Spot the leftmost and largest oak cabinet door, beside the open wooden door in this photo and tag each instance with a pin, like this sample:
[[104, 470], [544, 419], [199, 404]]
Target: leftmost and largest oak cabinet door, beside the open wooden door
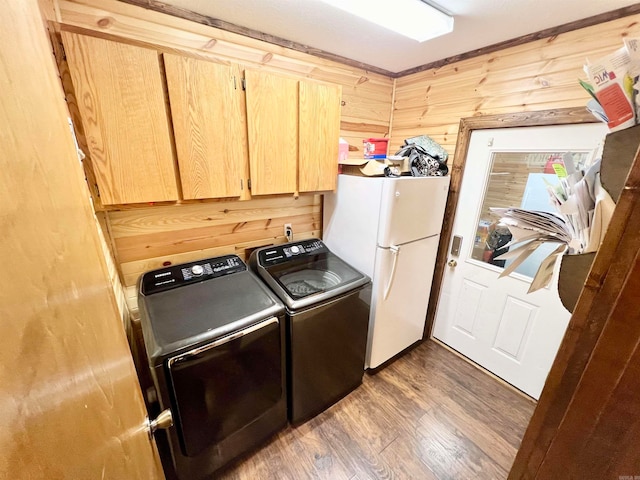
[[121, 99]]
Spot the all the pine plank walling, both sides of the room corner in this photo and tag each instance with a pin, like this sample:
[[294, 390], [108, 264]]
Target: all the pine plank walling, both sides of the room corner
[[534, 76]]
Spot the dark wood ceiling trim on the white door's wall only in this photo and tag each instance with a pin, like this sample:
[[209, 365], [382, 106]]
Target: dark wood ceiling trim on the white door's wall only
[[546, 33]]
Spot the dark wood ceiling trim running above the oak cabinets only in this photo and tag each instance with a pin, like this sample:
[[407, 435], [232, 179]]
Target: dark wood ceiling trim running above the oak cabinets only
[[255, 34]]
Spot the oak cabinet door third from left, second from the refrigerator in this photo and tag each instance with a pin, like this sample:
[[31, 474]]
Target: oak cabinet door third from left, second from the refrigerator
[[272, 118]]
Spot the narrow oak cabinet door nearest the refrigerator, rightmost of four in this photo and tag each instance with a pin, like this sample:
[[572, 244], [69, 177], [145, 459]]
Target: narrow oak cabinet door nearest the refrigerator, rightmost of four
[[319, 136]]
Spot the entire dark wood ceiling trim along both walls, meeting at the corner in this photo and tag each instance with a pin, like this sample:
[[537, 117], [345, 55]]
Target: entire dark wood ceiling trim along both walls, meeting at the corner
[[179, 12]]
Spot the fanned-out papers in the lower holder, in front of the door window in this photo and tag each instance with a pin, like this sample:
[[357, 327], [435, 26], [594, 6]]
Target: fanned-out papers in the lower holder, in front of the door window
[[584, 209]]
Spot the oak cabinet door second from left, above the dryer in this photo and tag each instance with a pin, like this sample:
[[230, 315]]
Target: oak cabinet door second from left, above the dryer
[[207, 110]]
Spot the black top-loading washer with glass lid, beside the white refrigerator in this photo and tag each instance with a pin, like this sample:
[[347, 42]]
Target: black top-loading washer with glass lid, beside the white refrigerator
[[327, 303]]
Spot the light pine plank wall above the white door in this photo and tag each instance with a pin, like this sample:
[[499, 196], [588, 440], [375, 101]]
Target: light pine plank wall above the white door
[[535, 76]]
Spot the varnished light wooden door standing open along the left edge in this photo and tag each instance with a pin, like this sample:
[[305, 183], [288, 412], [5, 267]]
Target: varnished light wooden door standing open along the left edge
[[71, 404]]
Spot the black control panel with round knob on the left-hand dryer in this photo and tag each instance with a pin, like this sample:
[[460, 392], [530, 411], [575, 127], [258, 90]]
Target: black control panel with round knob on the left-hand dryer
[[179, 275]]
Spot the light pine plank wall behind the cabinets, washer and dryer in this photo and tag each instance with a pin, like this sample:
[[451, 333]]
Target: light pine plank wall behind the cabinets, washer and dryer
[[145, 238]]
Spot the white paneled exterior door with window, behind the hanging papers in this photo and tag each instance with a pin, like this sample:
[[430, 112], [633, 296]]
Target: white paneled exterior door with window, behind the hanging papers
[[492, 321]]
